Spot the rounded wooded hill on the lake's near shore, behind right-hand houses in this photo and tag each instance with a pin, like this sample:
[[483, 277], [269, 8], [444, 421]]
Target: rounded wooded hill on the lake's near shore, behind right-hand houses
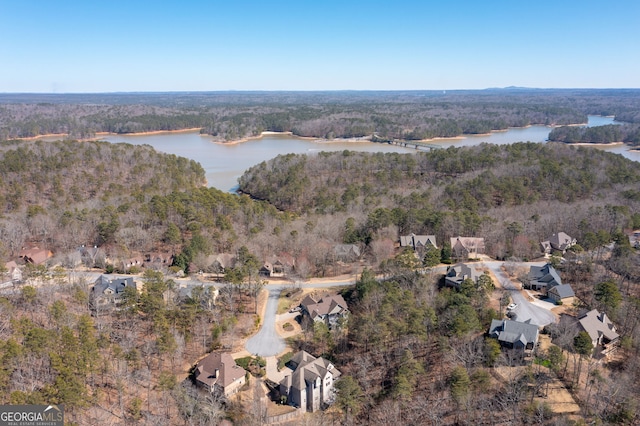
[[473, 191]]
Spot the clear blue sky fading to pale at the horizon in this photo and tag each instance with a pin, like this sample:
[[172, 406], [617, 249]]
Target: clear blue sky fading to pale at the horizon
[[108, 46]]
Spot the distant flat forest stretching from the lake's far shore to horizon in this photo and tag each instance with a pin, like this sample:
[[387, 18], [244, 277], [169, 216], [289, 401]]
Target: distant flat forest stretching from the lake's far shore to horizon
[[385, 115]]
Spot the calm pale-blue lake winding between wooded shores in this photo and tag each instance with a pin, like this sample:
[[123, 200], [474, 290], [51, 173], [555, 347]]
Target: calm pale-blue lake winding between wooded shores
[[225, 163]]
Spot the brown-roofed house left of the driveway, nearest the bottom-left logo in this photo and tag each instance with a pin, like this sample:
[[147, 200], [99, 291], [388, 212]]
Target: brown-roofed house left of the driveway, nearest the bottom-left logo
[[219, 373]]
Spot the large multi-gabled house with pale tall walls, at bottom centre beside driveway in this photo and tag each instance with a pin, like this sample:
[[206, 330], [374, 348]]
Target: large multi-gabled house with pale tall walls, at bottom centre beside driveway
[[310, 386]]
